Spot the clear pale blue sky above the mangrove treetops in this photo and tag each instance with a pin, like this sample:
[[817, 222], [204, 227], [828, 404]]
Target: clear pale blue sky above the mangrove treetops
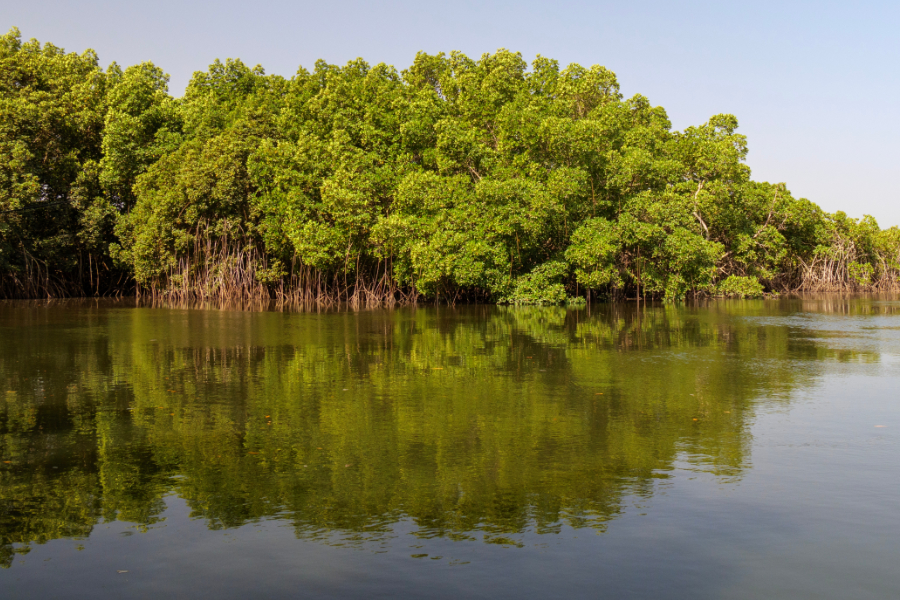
[[814, 84]]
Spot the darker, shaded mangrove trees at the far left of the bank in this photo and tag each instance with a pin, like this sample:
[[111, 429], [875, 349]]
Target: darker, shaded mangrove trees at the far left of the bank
[[55, 223]]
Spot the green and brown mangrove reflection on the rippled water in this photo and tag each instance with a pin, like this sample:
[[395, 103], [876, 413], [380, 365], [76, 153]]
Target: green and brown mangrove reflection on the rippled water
[[474, 423]]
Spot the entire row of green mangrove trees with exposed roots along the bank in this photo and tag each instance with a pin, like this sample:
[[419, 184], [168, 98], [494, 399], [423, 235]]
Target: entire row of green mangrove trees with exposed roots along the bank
[[456, 179]]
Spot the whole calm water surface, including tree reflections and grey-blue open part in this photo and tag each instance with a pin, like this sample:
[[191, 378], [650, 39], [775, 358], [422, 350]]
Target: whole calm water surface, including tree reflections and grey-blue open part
[[744, 449]]
